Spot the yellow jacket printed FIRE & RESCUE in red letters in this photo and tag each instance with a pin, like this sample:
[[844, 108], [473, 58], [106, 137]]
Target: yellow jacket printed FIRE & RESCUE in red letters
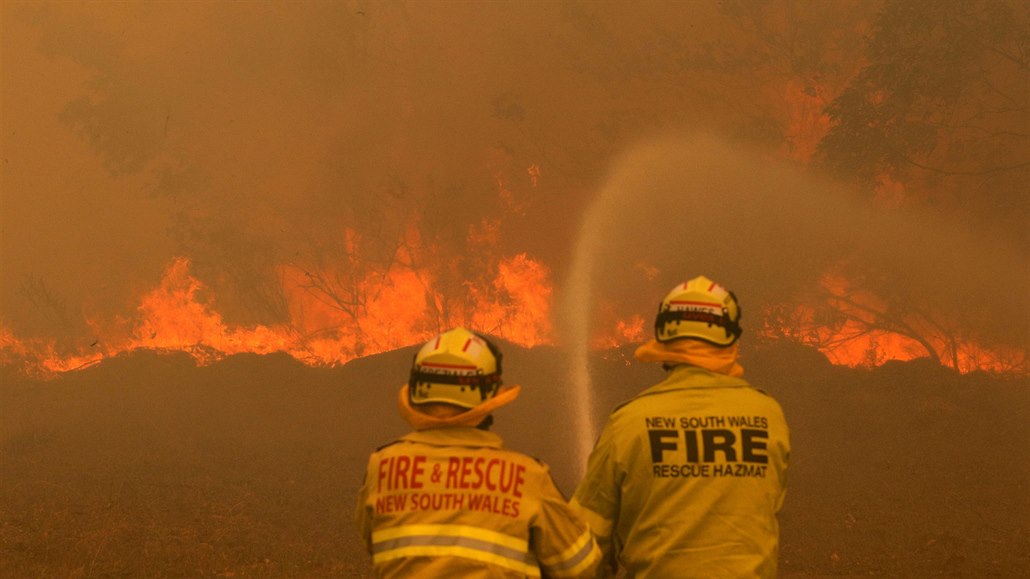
[[453, 502]]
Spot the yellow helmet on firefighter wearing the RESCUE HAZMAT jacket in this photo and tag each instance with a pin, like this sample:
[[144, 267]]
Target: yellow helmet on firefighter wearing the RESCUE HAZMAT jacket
[[701, 310]]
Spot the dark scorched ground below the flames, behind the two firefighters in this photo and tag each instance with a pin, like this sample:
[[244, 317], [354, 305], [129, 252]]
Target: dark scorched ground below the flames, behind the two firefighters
[[147, 466]]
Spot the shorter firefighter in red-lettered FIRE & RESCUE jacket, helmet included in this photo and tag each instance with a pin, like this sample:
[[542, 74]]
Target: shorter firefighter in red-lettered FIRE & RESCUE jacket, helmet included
[[450, 500]]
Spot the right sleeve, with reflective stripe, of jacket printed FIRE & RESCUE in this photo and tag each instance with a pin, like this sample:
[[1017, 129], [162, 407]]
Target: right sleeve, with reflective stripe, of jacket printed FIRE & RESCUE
[[562, 541]]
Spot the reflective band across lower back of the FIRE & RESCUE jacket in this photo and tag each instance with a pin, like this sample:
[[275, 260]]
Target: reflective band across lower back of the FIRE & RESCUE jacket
[[455, 540]]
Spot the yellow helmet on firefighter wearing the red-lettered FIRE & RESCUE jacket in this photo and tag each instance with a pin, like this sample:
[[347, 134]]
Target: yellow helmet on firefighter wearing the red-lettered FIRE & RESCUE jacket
[[458, 367]]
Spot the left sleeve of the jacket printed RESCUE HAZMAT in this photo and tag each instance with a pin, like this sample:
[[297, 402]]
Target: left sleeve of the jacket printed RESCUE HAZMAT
[[598, 497]]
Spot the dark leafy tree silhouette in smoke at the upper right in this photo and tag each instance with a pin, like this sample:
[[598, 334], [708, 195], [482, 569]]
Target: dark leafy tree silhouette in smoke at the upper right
[[942, 108]]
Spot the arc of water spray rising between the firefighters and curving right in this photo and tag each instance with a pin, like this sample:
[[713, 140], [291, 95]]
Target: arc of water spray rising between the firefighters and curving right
[[786, 213]]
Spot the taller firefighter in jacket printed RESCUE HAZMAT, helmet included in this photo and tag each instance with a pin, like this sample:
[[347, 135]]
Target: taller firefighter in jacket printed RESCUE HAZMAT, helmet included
[[686, 479]]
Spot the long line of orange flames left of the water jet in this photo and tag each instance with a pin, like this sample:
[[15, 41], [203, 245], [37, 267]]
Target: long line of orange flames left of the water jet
[[395, 309]]
